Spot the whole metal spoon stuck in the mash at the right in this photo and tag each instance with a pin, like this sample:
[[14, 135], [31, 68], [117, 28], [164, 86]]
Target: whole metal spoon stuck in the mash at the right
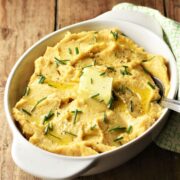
[[165, 102]]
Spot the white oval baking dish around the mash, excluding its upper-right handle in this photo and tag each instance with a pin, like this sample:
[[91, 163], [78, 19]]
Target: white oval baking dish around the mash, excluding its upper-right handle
[[44, 164]]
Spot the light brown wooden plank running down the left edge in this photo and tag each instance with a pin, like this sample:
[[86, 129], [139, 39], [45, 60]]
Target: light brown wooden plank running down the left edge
[[22, 23]]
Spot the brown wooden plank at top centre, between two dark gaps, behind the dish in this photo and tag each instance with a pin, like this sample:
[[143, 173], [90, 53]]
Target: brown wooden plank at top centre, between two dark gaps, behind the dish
[[72, 11]]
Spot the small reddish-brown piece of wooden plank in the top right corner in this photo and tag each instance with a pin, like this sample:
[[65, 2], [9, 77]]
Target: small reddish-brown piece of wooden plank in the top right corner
[[172, 8]]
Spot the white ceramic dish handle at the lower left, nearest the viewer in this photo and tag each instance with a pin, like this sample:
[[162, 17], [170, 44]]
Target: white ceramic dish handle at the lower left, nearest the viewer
[[47, 165]]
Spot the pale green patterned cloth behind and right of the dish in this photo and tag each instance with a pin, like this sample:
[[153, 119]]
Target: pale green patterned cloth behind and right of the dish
[[169, 137]]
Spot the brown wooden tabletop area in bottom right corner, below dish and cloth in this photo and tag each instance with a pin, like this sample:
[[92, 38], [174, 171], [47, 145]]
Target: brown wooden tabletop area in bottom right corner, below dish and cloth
[[152, 164]]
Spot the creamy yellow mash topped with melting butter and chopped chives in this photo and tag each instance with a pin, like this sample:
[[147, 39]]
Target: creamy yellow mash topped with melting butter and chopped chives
[[91, 93]]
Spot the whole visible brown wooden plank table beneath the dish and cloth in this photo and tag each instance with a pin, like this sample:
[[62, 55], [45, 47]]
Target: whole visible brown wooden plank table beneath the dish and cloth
[[22, 23]]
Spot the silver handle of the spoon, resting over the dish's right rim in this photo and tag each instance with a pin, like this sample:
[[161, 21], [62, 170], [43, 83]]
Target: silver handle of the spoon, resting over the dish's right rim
[[171, 104]]
